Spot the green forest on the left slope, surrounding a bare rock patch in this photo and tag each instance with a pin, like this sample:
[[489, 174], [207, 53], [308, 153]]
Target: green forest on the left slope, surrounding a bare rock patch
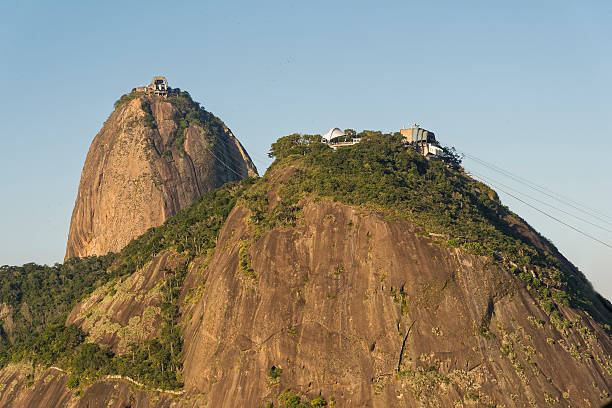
[[41, 336]]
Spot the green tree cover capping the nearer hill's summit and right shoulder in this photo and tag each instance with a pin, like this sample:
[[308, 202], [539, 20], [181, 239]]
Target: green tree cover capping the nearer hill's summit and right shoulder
[[380, 173]]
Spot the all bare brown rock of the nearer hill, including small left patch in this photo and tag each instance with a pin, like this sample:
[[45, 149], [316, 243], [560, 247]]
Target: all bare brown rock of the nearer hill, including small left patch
[[363, 309]]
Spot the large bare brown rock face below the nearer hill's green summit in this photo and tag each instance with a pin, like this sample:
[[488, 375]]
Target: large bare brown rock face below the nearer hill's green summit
[[368, 311]]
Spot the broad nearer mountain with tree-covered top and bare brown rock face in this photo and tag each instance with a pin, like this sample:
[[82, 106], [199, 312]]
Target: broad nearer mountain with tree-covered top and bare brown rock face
[[362, 277]]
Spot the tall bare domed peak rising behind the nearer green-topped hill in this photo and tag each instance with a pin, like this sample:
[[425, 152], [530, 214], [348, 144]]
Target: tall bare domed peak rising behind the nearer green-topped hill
[[154, 156]]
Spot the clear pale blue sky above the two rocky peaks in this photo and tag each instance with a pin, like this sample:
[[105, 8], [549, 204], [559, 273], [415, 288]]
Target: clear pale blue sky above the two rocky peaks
[[526, 85]]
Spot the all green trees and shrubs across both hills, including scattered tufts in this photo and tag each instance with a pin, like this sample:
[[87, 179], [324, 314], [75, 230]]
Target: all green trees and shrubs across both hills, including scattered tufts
[[379, 174]]
